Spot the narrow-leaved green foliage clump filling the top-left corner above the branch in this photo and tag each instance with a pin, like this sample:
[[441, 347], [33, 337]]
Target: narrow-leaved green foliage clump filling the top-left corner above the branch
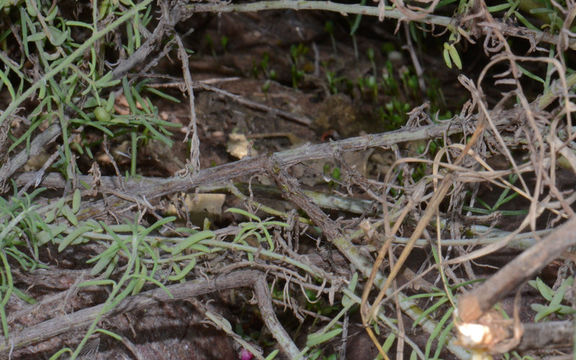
[[71, 91]]
